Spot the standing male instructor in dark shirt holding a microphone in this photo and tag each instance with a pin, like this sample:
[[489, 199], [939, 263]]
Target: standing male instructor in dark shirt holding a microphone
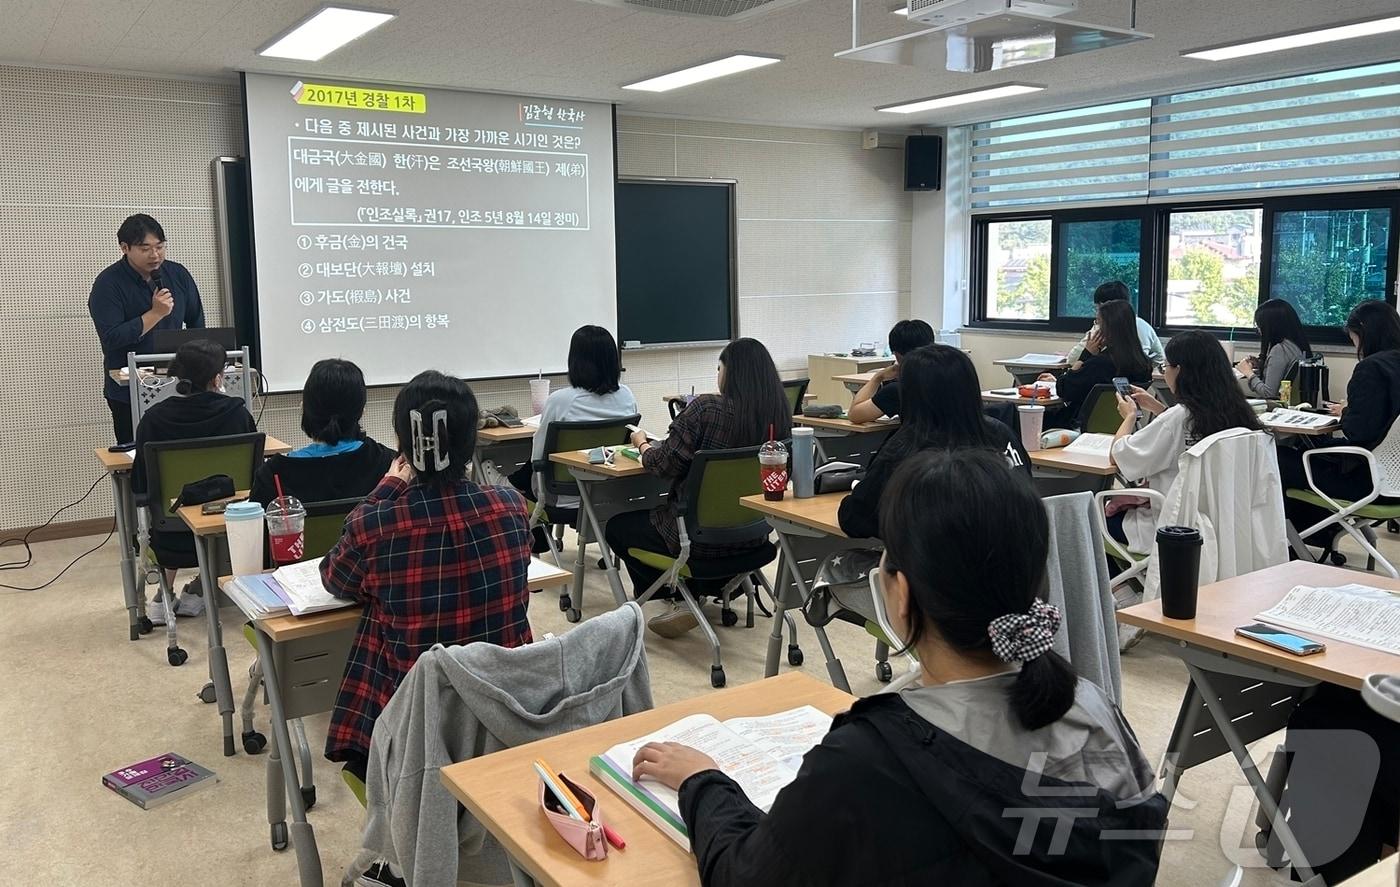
[[134, 296]]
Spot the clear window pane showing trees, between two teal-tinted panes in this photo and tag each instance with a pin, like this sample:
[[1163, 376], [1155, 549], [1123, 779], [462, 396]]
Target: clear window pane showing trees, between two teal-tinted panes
[[1213, 267]]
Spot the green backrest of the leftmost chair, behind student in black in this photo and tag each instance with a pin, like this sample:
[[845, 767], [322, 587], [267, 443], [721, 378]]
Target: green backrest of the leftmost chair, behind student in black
[[170, 465]]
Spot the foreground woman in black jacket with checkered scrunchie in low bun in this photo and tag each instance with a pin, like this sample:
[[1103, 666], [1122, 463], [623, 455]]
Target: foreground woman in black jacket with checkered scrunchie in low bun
[[930, 786]]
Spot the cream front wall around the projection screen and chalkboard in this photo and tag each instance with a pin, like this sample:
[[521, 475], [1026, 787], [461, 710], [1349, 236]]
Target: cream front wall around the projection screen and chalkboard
[[824, 254]]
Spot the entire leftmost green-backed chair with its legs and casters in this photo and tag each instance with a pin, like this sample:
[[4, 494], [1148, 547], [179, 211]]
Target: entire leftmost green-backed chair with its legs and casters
[[170, 465]]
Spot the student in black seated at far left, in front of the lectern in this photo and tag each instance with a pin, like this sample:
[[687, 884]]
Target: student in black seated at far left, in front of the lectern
[[201, 409]]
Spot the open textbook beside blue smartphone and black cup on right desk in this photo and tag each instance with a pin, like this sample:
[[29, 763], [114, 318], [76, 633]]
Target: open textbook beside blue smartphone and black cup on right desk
[[1353, 613]]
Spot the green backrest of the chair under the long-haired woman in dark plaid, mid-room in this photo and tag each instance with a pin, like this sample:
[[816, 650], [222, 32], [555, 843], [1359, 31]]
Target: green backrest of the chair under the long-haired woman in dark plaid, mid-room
[[710, 499]]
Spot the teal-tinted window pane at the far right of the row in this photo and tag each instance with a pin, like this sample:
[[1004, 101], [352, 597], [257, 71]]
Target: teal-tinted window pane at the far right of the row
[[1326, 260]]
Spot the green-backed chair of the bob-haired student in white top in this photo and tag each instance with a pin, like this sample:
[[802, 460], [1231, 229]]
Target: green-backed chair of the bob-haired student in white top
[[554, 481]]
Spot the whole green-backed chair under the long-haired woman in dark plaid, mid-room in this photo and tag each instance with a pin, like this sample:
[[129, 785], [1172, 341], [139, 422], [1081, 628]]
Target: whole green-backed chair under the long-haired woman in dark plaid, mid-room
[[709, 514]]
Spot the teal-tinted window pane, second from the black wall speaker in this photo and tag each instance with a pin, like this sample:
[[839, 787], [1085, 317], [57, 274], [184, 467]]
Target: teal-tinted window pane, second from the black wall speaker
[[1093, 253]]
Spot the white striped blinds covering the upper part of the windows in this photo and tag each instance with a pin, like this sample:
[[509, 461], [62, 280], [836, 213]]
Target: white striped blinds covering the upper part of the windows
[[1331, 129]]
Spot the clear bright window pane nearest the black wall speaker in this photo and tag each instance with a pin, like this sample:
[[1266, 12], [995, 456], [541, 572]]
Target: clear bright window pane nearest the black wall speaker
[[1018, 271]]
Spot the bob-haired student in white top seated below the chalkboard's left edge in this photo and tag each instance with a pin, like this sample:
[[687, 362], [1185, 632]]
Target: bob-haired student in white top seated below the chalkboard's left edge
[[594, 394]]
